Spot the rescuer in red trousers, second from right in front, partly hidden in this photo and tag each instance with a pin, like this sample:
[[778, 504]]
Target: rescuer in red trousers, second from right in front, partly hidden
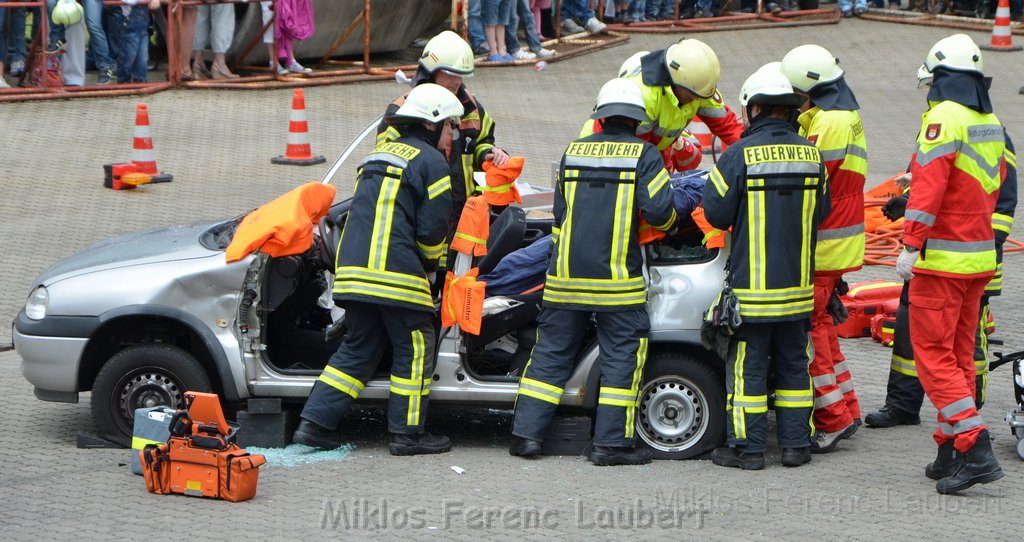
[[830, 120]]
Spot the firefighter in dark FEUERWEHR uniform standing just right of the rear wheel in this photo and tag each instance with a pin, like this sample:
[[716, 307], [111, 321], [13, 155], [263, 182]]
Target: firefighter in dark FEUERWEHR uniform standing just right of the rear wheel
[[772, 189]]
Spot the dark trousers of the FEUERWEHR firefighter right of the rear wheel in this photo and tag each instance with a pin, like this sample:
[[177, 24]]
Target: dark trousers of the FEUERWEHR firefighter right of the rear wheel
[[780, 349]]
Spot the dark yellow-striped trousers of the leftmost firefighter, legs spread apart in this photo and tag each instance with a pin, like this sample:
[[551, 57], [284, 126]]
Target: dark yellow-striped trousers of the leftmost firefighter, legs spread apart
[[371, 329]]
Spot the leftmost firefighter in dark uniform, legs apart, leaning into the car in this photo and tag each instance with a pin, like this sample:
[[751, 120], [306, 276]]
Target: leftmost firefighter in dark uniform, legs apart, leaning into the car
[[393, 239]]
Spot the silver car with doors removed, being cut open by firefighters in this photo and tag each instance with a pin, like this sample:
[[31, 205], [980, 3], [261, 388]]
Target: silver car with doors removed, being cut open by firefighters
[[140, 319]]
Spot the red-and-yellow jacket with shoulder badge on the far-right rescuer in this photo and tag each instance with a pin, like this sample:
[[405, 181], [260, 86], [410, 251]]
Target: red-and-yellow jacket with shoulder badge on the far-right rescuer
[[957, 174]]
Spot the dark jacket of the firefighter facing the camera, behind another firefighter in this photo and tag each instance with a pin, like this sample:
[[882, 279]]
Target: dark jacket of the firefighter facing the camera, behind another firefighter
[[465, 151]]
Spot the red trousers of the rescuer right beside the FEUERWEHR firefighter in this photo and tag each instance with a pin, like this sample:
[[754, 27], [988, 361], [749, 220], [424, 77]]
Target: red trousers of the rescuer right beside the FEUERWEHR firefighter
[[836, 404]]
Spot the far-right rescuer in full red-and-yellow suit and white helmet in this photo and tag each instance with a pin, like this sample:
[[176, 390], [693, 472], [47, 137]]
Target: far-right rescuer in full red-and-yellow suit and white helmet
[[950, 254]]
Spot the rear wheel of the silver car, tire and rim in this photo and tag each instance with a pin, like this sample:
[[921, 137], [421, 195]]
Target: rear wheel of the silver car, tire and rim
[[681, 410]]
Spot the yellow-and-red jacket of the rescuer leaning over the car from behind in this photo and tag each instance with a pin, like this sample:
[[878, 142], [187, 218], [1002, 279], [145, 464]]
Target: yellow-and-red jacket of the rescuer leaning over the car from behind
[[669, 117]]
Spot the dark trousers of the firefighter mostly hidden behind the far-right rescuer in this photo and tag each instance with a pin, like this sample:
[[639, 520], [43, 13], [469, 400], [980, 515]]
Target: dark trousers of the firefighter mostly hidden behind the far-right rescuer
[[904, 392]]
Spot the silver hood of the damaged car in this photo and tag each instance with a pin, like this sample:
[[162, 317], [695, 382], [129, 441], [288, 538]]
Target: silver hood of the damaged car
[[166, 244]]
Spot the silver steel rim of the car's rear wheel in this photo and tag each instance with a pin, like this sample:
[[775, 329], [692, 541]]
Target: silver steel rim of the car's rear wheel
[[673, 414]]
